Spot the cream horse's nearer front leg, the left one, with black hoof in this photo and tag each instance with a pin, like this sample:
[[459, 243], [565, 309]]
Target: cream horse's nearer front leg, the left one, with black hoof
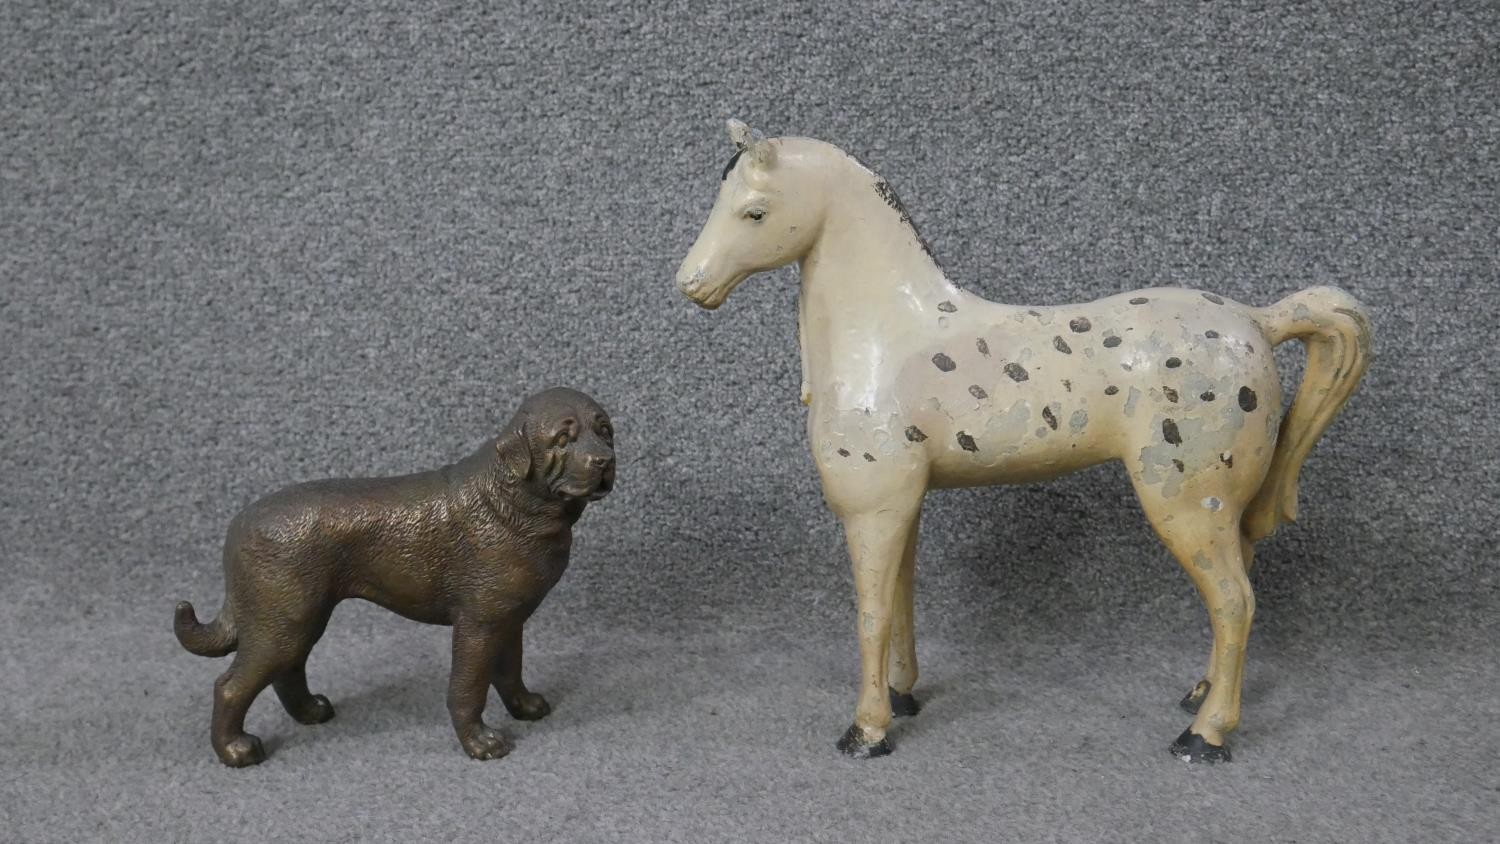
[[878, 539]]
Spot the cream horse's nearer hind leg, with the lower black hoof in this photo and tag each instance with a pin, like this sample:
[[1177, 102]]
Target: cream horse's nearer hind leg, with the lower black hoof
[[1205, 537]]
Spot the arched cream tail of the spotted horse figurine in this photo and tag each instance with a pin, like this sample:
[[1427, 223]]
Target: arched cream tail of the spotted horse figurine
[[1336, 331]]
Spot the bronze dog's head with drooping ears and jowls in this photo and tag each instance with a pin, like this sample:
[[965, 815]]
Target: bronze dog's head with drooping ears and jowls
[[562, 444]]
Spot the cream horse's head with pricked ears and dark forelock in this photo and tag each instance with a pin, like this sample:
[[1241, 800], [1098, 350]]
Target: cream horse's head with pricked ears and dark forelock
[[769, 214]]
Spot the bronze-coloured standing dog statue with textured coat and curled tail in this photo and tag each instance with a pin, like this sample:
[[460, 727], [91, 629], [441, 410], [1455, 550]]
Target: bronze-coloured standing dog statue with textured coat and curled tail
[[475, 545]]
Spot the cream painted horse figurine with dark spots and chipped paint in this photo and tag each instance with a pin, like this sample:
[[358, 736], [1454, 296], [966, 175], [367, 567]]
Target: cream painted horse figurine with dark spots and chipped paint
[[916, 385]]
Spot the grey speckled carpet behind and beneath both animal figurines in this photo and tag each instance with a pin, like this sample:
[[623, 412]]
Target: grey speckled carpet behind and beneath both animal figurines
[[245, 245]]
